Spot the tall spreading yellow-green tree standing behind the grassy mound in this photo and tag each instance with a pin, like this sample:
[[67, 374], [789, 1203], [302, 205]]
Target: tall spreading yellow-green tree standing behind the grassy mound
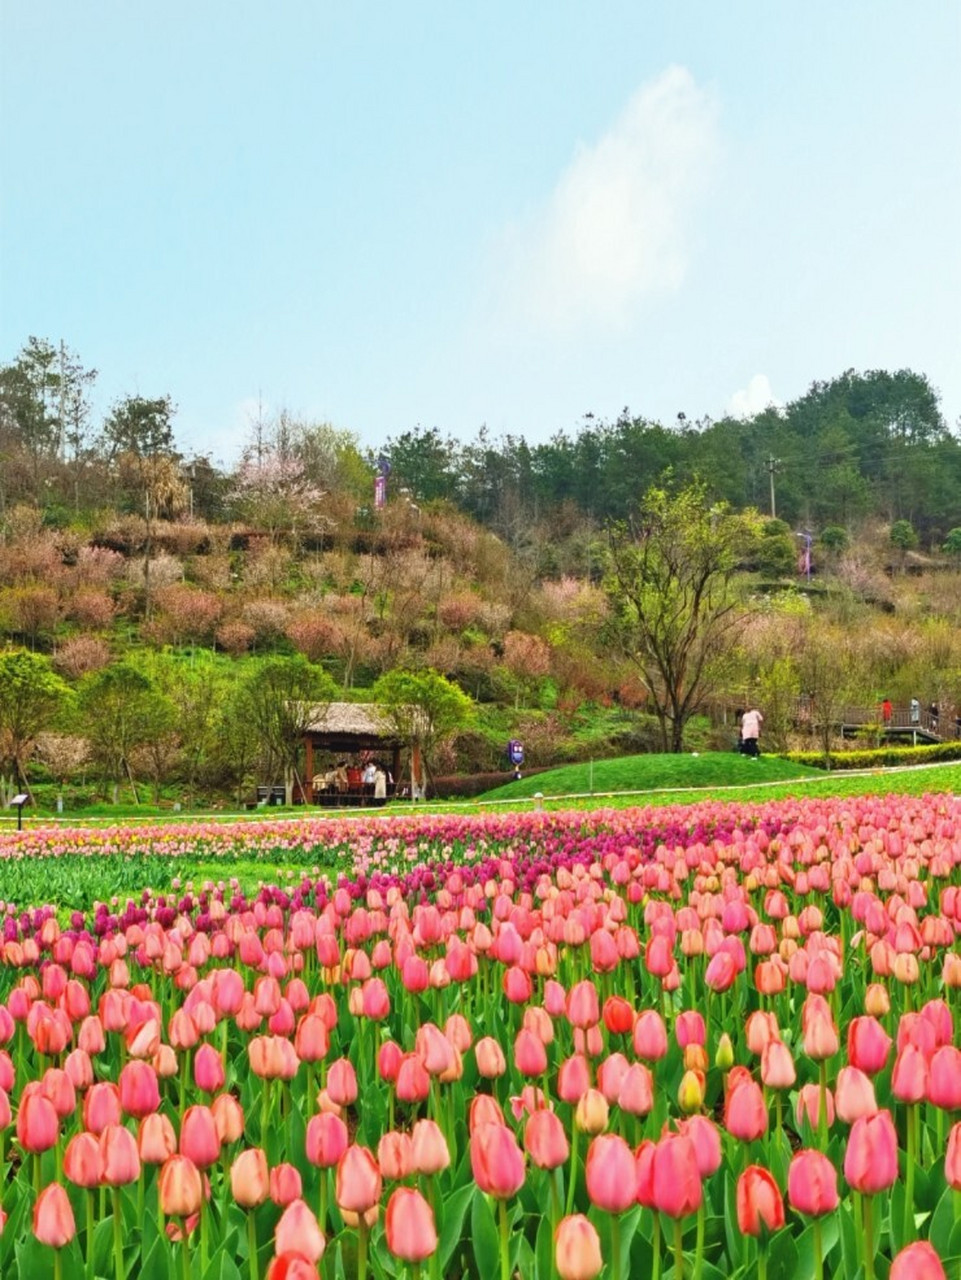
[[675, 610]]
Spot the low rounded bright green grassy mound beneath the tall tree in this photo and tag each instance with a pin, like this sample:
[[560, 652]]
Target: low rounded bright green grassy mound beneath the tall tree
[[655, 774]]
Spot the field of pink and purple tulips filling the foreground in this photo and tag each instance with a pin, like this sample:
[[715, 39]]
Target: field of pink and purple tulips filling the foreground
[[706, 1041]]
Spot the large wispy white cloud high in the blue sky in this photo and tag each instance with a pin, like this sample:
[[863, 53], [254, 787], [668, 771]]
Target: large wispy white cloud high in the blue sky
[[615, 228]]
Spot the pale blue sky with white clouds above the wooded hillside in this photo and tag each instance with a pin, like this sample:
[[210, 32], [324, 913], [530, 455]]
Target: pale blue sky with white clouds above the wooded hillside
[[391, 217]]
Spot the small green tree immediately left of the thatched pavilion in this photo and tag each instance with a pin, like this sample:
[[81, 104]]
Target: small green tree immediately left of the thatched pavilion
[[283, 697]]
